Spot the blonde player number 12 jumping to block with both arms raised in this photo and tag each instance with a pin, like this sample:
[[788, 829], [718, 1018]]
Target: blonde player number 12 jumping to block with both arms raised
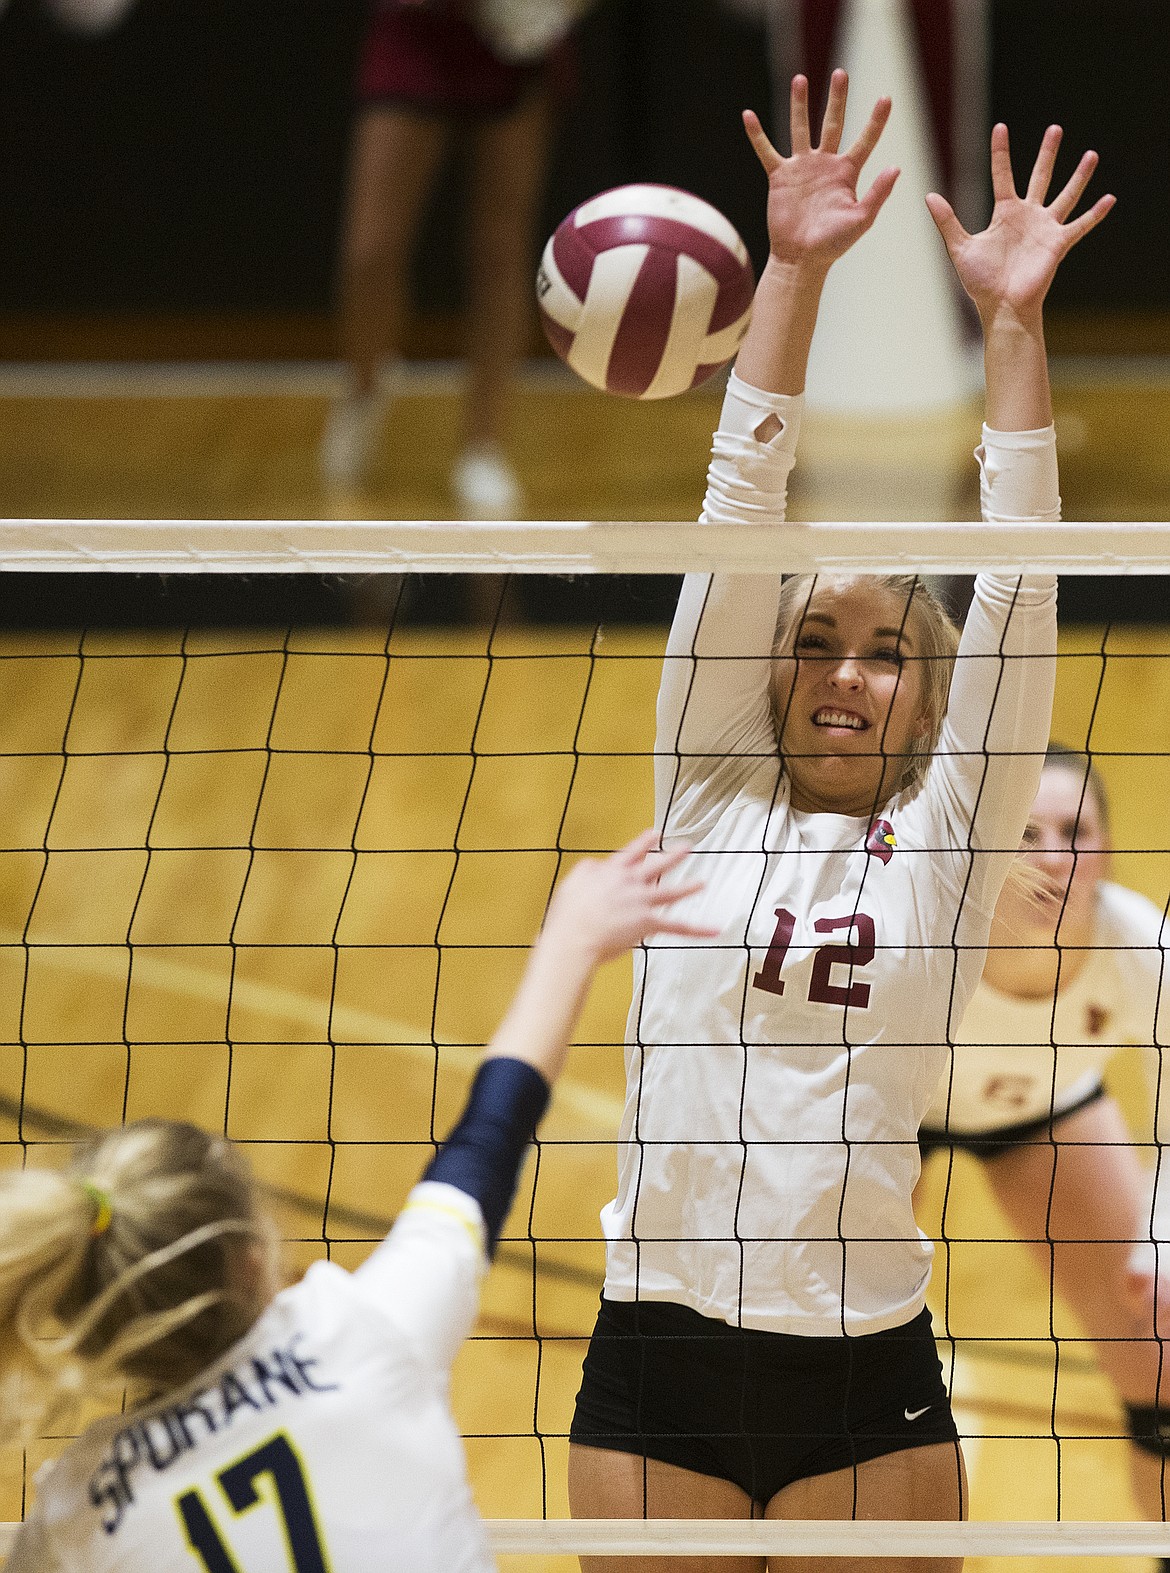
[[763, 1344]]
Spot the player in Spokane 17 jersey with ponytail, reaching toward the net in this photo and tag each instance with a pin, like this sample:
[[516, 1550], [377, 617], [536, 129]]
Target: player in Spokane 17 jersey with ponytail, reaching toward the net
[[152, 1262]]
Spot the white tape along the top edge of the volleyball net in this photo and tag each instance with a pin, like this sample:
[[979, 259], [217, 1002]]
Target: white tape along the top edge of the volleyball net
[[564, 547]]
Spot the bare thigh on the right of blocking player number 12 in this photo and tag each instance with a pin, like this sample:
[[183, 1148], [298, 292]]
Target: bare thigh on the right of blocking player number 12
[[924, 1484]]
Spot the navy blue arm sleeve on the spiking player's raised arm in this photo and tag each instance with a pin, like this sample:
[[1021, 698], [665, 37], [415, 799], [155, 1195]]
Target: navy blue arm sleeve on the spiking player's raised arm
[[484, 1154]]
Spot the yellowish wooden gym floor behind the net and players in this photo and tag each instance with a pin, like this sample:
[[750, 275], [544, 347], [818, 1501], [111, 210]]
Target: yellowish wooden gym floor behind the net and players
[[309, 908]]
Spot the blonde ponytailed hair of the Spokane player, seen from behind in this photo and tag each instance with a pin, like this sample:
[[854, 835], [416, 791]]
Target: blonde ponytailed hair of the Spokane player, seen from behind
[[136, 1265]]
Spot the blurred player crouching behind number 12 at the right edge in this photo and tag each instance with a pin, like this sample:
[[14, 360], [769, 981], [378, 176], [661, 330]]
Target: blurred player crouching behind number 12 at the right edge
[[1025, 1094]]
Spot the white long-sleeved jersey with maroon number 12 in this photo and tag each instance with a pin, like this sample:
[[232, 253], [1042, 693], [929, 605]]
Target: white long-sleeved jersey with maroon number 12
[[779, 1074]]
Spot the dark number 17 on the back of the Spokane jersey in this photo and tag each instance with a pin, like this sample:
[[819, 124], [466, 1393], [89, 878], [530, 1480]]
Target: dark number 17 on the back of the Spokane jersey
[[278, 1461]]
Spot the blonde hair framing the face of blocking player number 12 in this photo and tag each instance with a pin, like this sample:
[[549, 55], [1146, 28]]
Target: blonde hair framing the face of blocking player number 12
[[936, 639]]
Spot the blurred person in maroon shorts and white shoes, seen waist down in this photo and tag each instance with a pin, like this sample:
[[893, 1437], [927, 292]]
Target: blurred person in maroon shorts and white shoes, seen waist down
[[427, 72]]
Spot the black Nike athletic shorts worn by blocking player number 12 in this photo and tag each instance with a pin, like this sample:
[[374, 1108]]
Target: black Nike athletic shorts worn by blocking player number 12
[[757, 1409]]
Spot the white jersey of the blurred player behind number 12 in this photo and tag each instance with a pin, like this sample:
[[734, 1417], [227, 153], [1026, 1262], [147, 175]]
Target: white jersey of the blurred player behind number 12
[[1018, 1061]]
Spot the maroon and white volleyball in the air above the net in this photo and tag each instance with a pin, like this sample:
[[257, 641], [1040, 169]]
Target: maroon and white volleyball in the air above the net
[[646, 290]]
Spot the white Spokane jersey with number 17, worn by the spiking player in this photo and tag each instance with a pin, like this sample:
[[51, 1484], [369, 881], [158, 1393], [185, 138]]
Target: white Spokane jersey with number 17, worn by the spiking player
[[322, 1440]]
